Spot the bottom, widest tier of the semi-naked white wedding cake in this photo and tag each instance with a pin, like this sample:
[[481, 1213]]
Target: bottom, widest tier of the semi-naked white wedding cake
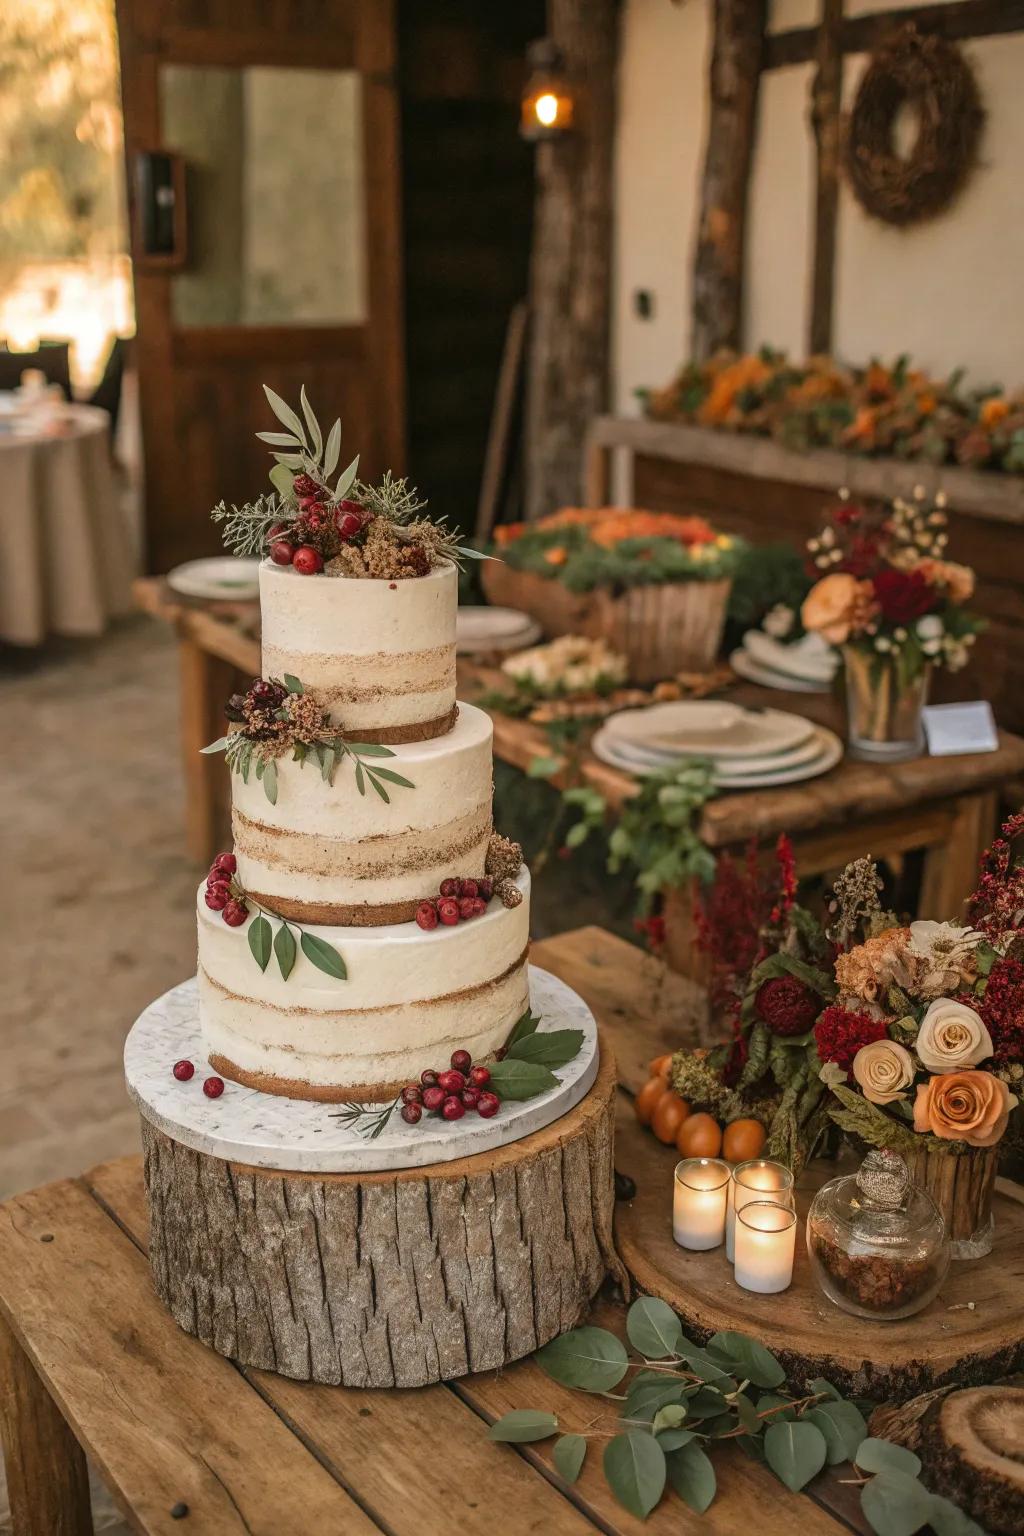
[[411, 999]]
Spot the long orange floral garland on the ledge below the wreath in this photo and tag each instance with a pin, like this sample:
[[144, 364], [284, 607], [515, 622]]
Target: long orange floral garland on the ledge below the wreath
[[879, 409]]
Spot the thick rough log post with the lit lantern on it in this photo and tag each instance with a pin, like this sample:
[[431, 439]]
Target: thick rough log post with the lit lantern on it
[[570, 276]]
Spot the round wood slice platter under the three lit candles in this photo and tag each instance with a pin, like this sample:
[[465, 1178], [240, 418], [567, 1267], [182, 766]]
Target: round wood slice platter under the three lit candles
[[951, 1342]]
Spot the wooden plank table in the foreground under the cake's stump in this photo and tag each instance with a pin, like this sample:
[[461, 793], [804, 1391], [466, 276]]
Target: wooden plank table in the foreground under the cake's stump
[[91, 1363]]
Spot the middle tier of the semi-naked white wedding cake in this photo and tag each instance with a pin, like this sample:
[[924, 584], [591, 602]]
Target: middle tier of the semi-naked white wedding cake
[[328, 855]]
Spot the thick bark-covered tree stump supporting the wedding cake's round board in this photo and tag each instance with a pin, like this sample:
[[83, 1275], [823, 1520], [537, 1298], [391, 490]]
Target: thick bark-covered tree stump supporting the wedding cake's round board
[[389, 1279]]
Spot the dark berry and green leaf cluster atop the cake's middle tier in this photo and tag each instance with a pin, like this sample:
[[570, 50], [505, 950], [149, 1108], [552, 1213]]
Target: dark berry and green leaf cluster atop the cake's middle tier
[[277, 718]]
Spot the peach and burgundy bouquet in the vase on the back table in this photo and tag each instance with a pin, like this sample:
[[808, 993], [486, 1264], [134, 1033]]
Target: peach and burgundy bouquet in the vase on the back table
[[887, 588]]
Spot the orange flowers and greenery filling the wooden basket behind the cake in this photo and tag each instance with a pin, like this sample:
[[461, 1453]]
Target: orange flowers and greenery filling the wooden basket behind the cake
[[619, 548]]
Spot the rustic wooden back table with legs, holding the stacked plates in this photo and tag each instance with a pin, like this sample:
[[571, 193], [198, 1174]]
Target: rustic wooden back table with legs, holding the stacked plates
[[946, 807]]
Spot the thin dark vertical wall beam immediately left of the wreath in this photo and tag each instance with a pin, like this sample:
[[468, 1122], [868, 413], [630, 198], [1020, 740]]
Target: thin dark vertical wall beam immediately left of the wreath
[[825, 119]]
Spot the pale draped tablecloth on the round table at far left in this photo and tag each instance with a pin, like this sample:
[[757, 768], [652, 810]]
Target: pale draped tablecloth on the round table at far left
[[67, 558]]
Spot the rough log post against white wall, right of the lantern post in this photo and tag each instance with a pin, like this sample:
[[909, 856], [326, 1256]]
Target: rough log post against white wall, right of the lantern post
[[736, 64]]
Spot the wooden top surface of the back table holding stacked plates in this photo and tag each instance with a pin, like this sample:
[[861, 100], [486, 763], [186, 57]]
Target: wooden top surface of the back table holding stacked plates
[[853, 792]]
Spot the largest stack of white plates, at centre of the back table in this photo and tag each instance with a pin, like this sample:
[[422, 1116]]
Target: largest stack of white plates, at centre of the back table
[[750, 749]]
